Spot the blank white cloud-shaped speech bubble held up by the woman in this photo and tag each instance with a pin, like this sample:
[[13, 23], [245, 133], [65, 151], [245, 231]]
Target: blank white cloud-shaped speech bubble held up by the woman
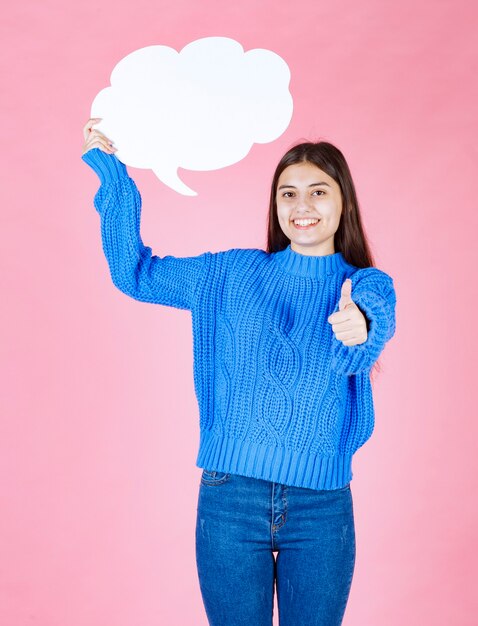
[[200, 109]]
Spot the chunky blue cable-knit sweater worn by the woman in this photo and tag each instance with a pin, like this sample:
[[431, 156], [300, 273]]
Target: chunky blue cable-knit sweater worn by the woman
[[280, 397]]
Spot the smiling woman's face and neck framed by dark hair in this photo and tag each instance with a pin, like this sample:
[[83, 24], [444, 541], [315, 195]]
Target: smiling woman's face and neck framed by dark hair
[[306, 192]]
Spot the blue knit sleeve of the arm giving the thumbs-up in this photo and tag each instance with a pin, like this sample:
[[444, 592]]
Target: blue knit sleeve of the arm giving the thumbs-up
[[373, 292]]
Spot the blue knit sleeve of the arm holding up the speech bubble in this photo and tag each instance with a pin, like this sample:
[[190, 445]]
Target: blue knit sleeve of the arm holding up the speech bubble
[[167, 280]]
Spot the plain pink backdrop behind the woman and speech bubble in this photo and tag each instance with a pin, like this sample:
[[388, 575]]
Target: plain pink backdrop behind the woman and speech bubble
[[100, 426]]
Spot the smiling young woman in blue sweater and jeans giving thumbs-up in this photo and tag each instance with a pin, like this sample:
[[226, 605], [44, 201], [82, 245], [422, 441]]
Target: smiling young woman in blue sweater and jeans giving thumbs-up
[[284, 344]]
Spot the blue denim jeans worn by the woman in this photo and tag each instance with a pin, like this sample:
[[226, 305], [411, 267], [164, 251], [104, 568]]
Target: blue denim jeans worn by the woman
[[242, 521]]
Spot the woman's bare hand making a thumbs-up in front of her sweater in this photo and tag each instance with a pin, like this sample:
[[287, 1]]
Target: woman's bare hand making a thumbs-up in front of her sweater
[[348, 323]]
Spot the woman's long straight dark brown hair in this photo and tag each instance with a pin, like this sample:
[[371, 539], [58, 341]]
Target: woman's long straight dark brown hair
[[350, 238]]
